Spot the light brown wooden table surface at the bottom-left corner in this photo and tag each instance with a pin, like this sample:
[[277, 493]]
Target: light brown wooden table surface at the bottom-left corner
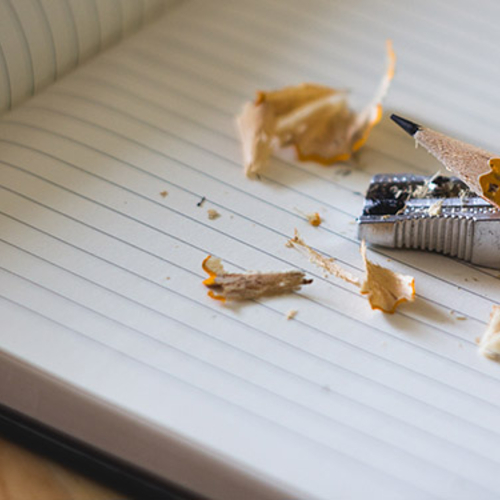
[[26, 476]]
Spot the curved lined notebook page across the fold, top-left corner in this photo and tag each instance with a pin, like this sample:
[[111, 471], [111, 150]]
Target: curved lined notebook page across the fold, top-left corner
[[41, 40]]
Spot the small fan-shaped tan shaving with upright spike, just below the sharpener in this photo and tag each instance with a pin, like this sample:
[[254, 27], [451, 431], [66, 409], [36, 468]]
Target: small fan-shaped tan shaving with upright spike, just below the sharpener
[[385, 289]]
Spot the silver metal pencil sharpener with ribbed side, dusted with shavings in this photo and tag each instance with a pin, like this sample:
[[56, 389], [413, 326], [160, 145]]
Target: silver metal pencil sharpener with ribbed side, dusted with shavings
[[438, 213]]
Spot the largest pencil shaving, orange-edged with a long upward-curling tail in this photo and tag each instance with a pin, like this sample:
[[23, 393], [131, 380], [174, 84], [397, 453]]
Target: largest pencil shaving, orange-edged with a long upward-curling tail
[[315, 119]]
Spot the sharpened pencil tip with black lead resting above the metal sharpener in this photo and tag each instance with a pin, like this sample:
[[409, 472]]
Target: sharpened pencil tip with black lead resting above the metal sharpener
[[478, 168]]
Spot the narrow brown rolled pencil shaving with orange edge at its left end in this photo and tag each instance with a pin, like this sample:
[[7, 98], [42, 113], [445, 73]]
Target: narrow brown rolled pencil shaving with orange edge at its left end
[[244, 286]]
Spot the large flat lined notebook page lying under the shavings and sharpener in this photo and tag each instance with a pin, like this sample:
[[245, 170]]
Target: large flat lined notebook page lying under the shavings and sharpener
[[101, 275]]
